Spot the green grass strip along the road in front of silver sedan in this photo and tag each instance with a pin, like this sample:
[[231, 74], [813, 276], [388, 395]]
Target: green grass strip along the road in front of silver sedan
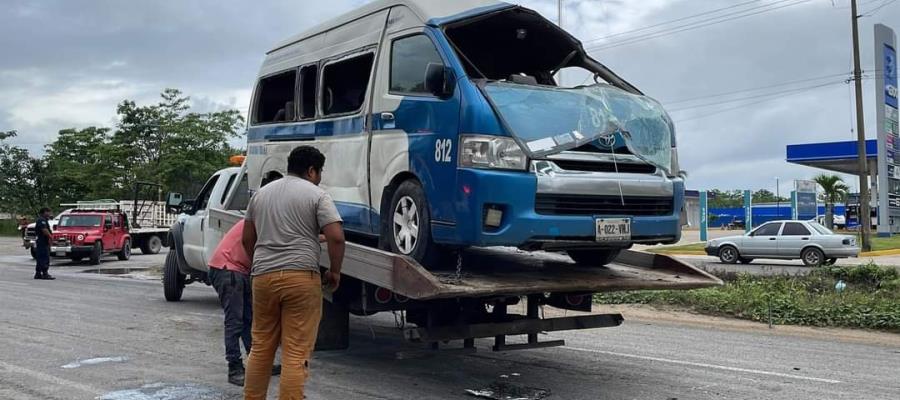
[[871, 299]]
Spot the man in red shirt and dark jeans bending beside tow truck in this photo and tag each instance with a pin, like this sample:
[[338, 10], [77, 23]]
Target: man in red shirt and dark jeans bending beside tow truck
[[229, 272]]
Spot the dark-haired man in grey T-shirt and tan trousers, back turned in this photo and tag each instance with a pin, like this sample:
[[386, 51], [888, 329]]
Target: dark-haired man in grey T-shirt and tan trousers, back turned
[[281, 235]]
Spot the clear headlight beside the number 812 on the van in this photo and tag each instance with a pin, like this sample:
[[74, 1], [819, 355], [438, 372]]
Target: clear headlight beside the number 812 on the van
[[493, 152]]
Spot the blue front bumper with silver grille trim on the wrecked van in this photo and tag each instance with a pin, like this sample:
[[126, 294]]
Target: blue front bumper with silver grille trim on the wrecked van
[[515, 193]]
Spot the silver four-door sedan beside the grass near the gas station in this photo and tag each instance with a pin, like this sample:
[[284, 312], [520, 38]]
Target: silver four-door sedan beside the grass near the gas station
[[787, 240]]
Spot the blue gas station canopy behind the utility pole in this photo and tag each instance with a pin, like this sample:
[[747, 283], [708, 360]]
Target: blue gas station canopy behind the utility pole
[[833, 156]]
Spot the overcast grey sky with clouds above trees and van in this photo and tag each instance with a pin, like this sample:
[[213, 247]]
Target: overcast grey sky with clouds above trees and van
[[68, 63]]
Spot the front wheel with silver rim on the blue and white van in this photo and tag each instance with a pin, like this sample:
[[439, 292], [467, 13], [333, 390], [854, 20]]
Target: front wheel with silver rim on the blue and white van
[[409, 205]]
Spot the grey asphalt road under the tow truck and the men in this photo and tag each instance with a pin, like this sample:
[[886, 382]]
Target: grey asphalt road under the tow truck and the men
[[90, 335]]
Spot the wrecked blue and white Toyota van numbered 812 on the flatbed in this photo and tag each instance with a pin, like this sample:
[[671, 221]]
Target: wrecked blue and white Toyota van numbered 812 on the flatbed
[[444, 127]]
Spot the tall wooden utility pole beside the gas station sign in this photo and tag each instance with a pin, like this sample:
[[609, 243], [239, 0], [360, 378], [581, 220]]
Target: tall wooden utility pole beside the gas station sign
[[865, 216]]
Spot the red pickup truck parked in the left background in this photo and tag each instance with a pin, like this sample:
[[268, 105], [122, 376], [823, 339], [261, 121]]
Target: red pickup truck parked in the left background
[[91, 233]]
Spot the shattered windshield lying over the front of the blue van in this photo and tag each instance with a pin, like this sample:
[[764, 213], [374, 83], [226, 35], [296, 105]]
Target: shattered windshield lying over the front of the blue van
[[549, 120]]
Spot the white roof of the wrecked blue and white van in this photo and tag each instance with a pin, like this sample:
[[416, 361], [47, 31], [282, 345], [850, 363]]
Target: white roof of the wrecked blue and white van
[[432, 12]]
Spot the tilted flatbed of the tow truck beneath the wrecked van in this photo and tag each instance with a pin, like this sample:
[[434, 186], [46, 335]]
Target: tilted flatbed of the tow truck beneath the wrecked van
[[472, 300]]
